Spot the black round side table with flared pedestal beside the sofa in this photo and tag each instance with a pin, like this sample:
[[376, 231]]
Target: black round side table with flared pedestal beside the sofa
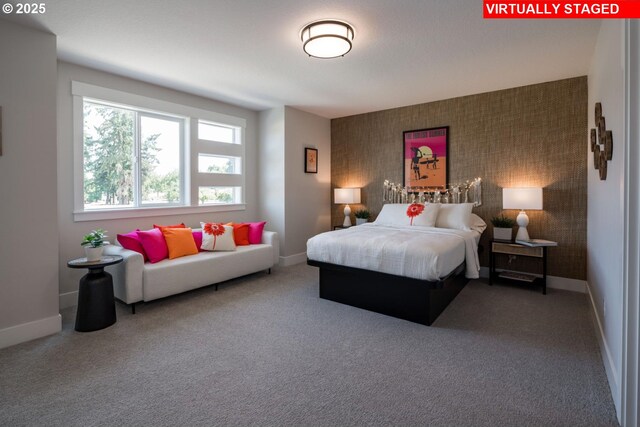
[[96, 306]]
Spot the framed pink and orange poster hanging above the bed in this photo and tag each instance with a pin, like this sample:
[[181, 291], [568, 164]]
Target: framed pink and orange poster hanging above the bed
[[425, 158]]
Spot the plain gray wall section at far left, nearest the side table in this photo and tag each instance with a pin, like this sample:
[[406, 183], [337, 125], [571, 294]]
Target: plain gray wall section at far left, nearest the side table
[[28, 193]]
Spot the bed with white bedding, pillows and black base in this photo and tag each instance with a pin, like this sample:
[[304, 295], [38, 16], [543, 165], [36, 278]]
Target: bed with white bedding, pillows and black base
[[409, 267]]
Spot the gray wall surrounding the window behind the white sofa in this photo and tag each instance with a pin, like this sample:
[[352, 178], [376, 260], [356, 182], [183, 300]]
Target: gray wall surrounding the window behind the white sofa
[[71, 232]]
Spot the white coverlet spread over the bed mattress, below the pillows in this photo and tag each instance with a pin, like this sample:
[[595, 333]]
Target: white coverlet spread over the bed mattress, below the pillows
[[425, 253]]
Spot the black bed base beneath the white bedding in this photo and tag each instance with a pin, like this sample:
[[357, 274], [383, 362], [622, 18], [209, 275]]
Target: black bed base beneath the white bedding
[[419, 301]]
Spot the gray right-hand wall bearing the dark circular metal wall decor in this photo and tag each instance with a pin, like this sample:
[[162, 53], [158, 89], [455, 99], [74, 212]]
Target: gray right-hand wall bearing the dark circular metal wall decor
[[605, 213]]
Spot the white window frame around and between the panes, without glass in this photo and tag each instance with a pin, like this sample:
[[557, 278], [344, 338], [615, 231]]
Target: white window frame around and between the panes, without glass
[[192, 178]]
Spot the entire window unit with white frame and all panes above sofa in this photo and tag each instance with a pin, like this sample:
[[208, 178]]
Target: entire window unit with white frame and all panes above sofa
[[133, 156]]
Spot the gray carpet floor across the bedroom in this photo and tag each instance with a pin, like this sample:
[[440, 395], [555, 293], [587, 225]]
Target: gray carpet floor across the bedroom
[[265, 350]]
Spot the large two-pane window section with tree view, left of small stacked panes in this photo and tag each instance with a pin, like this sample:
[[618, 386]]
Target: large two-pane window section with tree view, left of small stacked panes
[[131, 158]]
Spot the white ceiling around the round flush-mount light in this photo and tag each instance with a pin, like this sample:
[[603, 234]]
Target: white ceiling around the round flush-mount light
[[248, 52]]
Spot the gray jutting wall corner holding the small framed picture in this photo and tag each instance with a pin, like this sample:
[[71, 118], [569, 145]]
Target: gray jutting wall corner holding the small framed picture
[[295, 203]]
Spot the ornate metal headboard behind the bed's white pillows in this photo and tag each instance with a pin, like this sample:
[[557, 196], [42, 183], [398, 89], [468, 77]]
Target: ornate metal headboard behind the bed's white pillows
[[466, 192]]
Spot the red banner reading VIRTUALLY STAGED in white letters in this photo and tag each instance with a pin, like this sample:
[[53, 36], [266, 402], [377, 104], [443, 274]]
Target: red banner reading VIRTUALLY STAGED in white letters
[[613, 9]]
